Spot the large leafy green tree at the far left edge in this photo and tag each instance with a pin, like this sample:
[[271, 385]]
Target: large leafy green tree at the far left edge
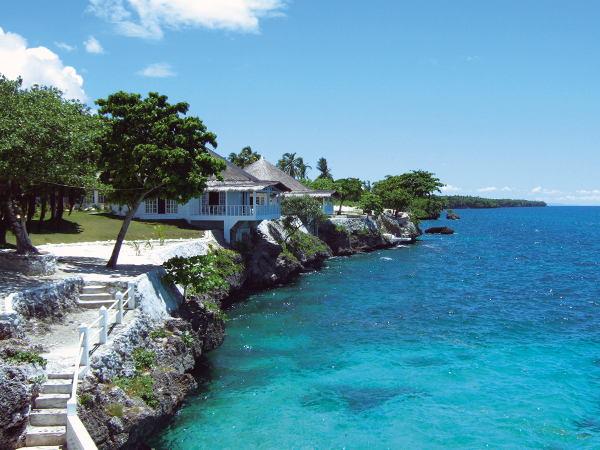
[[45, 142]]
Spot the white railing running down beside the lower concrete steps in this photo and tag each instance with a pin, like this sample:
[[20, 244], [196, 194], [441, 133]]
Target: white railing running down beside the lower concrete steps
[[77, 436]]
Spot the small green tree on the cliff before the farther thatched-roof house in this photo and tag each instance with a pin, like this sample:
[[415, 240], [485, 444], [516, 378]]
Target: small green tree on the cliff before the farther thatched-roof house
[[301, 210]]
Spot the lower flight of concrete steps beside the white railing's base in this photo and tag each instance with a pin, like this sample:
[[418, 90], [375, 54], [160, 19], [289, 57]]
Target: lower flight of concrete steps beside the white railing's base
[[47, 429]]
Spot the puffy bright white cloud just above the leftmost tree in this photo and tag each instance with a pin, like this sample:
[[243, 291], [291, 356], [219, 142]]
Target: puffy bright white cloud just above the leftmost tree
[[37, 65]]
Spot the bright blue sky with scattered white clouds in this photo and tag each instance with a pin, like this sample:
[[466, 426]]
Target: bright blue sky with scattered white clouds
[[498, 99]]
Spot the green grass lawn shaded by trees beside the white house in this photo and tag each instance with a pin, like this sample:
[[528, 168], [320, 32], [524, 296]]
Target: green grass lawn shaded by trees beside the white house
[[86, 227]]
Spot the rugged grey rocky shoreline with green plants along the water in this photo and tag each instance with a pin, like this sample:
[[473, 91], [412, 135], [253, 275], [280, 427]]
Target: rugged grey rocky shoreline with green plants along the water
[[140, 379]]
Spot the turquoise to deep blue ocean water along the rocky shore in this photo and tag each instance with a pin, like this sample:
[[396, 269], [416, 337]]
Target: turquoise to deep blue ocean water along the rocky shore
[[488, 338]]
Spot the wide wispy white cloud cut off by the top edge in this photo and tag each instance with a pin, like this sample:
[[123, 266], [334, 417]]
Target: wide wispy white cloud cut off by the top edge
[[147, 18]]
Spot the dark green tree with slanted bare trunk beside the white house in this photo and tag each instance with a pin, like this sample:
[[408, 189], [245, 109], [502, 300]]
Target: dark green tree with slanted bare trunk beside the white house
[[152, 150]]
